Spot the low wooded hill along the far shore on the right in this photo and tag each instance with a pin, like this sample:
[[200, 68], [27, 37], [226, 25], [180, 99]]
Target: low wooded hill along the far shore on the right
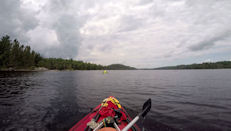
[[207, 65]]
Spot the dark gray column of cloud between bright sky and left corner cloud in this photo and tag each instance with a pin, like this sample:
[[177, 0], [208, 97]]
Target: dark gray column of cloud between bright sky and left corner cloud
[[65, 22]]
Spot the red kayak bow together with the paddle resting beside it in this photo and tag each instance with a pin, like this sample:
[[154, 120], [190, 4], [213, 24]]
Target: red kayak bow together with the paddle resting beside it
[[109, 116]]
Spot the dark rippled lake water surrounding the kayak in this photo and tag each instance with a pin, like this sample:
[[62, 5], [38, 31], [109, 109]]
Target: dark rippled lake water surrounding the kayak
[[55, 100]]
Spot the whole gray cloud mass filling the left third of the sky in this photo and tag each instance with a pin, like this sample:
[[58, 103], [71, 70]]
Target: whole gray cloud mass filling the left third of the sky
[[18, 21]]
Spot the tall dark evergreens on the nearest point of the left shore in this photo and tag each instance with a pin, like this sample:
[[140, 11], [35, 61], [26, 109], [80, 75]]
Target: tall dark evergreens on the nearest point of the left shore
[[15, 55]]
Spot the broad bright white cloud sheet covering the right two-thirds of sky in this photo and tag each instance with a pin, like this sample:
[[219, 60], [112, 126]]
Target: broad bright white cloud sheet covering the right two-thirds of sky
[[159, 31]]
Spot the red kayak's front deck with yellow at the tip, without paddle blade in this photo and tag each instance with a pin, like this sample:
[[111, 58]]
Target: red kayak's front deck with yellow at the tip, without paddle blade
[[110, 107]]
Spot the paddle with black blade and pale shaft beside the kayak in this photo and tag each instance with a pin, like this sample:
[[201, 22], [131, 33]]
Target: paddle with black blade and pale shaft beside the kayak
[[146, 108]]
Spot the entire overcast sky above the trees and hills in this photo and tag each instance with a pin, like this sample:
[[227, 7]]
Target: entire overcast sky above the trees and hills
[[139, 33]]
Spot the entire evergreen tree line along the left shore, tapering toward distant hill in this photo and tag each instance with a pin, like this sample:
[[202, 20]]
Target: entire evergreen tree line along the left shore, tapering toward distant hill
[[17, 56]]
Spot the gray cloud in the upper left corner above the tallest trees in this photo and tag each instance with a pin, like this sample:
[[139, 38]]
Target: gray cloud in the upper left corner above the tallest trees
[[15, 20]]
